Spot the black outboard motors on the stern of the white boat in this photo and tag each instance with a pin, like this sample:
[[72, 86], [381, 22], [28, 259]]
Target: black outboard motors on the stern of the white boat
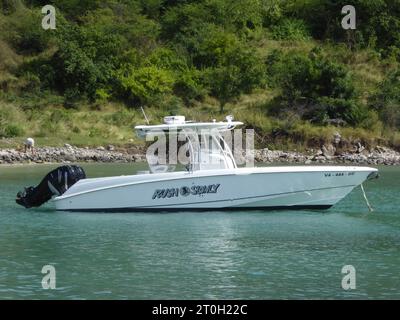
[[55, 183]]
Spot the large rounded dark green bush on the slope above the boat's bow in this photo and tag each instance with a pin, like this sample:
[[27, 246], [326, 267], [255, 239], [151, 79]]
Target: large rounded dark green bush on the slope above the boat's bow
[[315, 87]]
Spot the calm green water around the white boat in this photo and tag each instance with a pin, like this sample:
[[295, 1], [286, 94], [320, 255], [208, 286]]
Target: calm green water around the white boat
[[208, 255]]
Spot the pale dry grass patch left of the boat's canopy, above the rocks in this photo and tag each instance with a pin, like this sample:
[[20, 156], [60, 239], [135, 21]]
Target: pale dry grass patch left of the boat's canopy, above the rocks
[[55, 126]]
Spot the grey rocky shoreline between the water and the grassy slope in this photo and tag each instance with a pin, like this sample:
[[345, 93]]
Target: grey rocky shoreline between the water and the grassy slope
[[325, 155]]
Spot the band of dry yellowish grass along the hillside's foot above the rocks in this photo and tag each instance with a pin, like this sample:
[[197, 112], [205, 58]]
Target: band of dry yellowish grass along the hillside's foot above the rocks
[[113, 123]]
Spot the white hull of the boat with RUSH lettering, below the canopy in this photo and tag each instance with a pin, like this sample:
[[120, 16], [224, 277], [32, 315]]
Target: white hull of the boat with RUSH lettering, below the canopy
[[232, 189]]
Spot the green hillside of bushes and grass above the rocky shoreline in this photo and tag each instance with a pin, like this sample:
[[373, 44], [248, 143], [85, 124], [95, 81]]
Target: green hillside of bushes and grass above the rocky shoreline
[[284, 67]]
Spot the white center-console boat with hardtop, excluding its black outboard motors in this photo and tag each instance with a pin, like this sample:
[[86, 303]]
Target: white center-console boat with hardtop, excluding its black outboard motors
[[213, 181]]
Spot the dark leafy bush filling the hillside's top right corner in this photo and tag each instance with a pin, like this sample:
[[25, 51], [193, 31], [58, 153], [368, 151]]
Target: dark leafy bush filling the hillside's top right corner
[[378, 21]]
